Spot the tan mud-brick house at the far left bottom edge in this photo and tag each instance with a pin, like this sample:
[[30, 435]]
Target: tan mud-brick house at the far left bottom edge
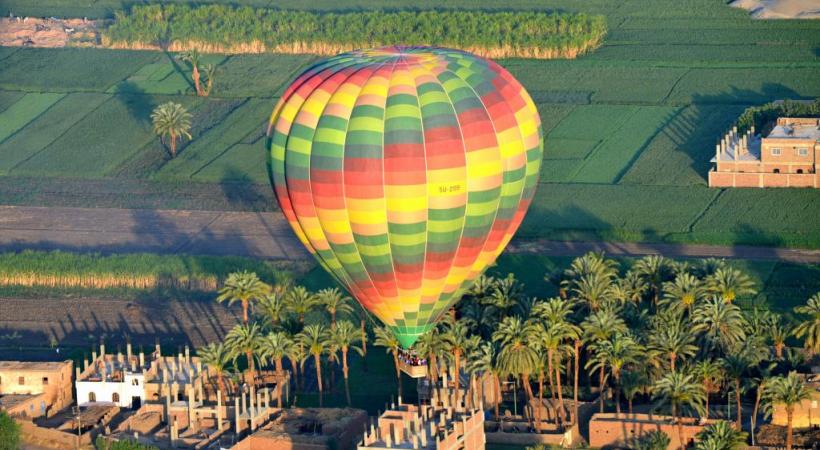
[[35, 389]]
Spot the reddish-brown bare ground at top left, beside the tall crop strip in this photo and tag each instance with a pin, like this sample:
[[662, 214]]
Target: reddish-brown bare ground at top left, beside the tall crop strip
[[34, 32]]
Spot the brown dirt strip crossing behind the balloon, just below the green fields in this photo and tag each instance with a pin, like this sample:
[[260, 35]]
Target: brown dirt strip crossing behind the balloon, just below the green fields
[[267, 235]]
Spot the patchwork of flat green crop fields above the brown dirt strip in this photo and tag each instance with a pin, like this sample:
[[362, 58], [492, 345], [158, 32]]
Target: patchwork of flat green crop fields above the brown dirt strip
[[629, 128]]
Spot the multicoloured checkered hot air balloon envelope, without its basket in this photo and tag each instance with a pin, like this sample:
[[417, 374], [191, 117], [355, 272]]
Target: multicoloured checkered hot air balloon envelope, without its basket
[[405, 171]]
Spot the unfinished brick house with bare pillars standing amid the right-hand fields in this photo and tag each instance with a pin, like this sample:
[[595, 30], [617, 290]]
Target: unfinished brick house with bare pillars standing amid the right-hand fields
[[786, 157]]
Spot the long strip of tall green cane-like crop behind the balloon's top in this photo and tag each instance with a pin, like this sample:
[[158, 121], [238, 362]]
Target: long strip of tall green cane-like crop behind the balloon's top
[[228, 29]]
